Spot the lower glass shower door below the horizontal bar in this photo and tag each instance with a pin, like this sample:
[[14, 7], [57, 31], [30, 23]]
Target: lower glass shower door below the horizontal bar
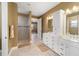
[[23, 35]]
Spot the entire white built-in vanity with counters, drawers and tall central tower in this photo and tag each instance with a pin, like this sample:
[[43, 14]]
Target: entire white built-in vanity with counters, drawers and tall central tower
[[57, 40]]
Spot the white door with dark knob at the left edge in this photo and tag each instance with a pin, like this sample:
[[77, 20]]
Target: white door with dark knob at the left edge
[[4, 13]]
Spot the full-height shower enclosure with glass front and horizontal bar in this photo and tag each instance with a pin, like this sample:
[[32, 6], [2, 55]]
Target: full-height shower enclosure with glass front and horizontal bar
[[23, 30]]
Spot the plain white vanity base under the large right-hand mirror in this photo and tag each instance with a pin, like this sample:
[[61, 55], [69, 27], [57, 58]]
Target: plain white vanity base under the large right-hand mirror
[[72, 48]]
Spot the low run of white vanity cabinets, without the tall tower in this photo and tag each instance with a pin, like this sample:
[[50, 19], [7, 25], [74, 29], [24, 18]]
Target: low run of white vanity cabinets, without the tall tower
[[64, 47]]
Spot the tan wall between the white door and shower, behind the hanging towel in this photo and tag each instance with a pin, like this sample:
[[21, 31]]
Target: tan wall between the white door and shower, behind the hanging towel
[[12, 20]]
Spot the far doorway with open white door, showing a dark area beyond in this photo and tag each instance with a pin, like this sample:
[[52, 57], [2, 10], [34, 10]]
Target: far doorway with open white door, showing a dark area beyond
[[36, 30]]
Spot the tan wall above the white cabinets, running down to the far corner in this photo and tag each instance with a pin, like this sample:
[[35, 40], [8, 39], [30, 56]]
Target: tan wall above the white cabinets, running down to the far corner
[[63, 5]]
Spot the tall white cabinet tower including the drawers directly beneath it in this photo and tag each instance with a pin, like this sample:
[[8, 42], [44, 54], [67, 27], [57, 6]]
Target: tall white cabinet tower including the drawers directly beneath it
[[59, 45]]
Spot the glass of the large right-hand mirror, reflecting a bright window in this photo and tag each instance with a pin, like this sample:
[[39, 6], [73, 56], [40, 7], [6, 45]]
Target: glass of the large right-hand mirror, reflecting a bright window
[[72, 24]]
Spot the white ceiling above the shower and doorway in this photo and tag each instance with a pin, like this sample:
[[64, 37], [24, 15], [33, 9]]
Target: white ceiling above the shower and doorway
[[37, 8]]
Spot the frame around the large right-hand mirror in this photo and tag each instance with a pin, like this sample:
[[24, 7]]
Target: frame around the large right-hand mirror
[[73, 15]]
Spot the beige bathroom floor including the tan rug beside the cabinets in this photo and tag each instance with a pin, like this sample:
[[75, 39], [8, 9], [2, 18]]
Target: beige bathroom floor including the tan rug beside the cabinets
[[38, 49]]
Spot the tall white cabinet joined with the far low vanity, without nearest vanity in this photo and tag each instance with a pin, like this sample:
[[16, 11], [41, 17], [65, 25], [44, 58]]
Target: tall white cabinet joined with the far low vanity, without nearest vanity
[[52, 39]]
